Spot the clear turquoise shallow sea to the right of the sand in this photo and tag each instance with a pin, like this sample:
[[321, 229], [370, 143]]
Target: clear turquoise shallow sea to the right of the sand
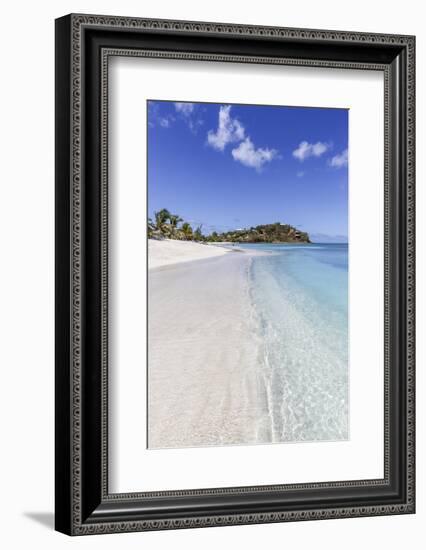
[[299, 296]]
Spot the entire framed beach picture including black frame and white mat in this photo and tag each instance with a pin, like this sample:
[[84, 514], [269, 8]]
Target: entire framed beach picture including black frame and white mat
[[234, 274]]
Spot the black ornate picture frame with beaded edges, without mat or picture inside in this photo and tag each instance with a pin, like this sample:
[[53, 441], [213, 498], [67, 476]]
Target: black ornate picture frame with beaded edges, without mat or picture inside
[[83, 503]]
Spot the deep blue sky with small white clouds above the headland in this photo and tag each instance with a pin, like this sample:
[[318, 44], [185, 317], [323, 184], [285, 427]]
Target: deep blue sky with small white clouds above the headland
[[234, 166]]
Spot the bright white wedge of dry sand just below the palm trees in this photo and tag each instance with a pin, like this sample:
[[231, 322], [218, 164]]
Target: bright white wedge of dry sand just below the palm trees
[[167, 252]]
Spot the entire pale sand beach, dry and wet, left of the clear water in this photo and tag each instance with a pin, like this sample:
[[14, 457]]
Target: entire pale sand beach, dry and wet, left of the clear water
[[203, 377]]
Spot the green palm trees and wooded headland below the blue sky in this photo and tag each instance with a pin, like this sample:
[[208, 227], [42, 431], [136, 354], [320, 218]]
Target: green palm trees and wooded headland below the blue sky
[[170, 226]]
